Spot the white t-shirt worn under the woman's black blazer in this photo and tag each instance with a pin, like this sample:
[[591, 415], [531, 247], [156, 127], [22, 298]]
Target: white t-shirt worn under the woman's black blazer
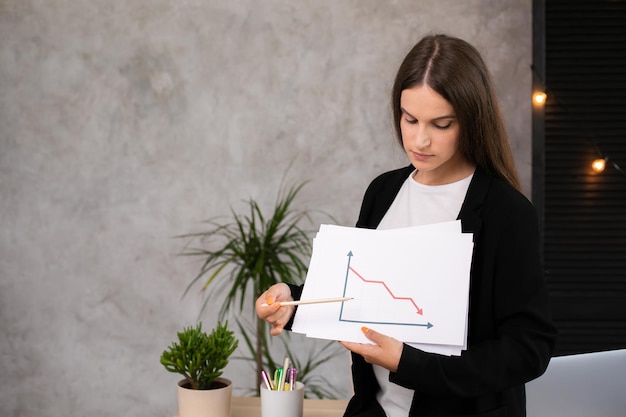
[[415, 205]]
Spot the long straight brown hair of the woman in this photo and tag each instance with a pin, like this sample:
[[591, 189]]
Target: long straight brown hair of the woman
[[455, 70]]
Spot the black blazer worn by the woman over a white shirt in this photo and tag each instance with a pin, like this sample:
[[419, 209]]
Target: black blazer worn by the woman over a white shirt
[[510, 333]]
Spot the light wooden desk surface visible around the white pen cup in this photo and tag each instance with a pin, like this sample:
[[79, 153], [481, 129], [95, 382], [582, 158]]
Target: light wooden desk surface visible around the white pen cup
[[251, 407]]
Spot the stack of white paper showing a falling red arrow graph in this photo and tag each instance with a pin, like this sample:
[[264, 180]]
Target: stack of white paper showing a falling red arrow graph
[[411, 284]]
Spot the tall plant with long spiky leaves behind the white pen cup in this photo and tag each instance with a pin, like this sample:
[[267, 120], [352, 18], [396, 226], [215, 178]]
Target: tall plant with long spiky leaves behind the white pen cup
[[247, 253]]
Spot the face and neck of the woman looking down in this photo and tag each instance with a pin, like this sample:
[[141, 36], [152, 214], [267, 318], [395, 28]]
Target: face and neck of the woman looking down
[[430, 136]]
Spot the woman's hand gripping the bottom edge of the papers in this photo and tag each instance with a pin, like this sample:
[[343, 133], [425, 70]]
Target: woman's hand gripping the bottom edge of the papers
[[385, 352]]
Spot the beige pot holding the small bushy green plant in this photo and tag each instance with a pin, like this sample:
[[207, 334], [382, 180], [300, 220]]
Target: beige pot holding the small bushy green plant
[[203, 403]]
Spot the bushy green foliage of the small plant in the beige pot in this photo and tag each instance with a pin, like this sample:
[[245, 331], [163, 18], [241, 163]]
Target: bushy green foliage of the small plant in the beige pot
[[200, 357]]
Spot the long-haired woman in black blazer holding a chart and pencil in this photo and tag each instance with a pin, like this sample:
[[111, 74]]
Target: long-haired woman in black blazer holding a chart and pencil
[[448, 121]]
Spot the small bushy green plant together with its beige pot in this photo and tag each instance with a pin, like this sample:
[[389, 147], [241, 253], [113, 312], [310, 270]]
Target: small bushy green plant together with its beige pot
[[201, 358]]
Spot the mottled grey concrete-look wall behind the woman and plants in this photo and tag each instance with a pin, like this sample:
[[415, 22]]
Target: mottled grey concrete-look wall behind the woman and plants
[[126, 123]]
